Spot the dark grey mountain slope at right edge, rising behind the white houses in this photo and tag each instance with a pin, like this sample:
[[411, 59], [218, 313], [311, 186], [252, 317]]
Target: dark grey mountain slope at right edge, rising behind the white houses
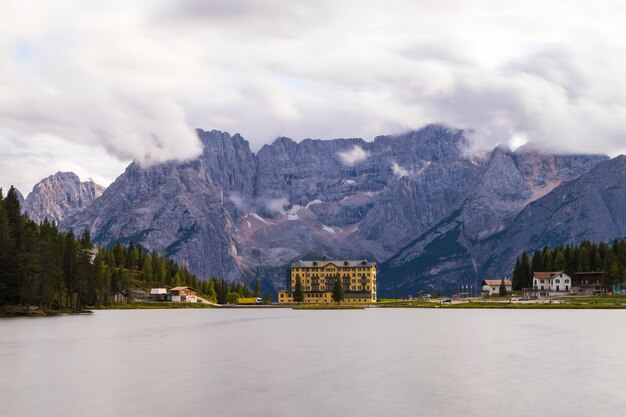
[[591, 207]]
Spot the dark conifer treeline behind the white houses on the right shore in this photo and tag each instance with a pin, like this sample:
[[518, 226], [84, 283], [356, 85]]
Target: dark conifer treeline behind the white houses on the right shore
[[609, 258]]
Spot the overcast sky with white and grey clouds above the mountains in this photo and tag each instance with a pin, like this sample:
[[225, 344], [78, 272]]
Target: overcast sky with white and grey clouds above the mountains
[[89, 86]]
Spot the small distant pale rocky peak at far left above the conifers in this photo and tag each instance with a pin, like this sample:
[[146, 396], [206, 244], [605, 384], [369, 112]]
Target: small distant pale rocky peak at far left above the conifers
[[59, 196]]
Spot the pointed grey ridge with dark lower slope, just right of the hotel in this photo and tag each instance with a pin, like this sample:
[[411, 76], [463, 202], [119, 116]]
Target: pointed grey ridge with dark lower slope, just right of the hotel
[[456, 250]]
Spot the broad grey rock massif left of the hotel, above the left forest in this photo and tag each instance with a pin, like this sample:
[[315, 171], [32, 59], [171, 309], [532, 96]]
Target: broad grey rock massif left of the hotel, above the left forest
[[180, 209]]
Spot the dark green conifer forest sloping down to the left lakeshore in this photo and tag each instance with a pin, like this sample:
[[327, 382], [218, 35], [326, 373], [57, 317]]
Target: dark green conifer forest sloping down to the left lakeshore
[[42, 266]]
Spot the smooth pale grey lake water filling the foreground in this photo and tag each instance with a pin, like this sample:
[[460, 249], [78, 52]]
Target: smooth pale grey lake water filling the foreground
[[282, 362]]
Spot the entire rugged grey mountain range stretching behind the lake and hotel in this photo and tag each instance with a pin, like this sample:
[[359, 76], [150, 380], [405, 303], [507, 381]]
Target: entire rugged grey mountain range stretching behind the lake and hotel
[[425, 206]]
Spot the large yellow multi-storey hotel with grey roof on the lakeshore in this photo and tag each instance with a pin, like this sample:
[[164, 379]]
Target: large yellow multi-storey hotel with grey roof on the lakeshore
[[318, 278]]
